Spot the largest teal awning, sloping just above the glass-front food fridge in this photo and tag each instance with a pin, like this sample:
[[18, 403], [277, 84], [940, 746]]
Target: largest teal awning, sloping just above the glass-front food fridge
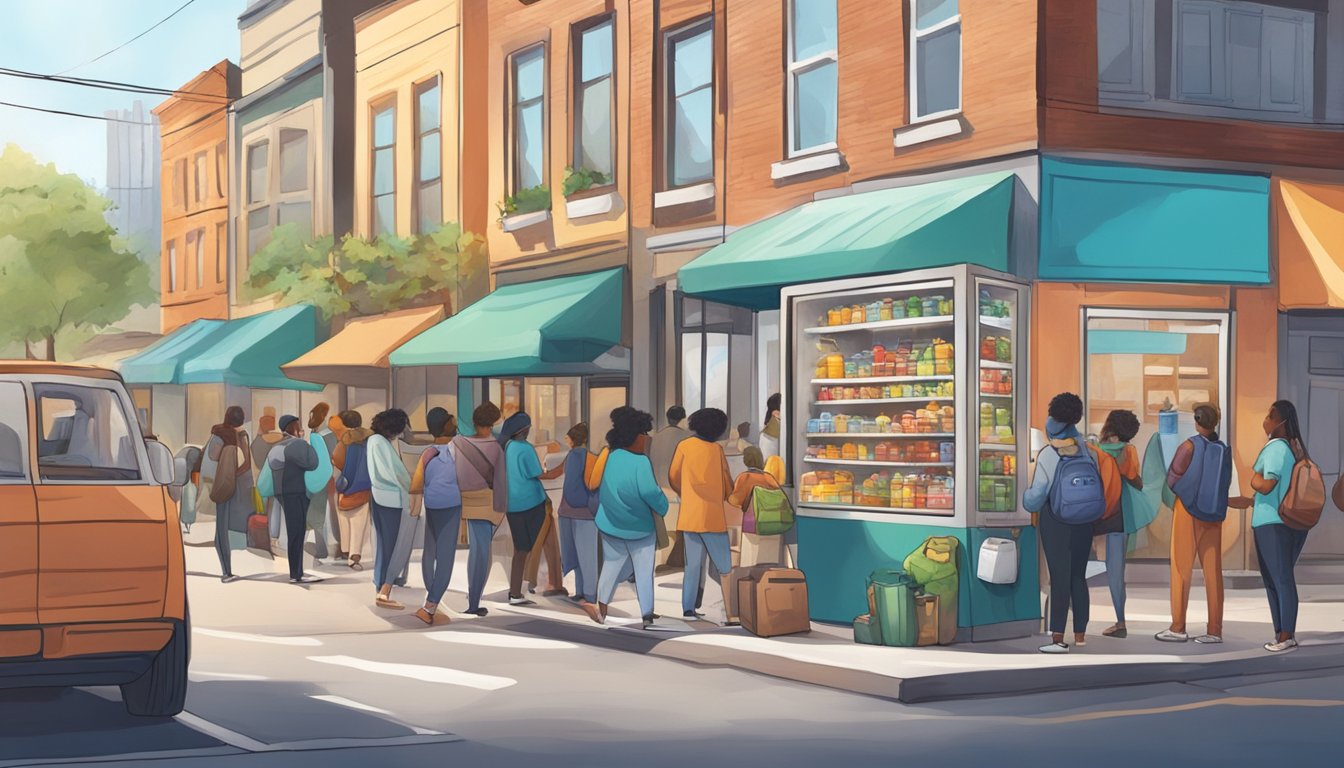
[[958, 221]]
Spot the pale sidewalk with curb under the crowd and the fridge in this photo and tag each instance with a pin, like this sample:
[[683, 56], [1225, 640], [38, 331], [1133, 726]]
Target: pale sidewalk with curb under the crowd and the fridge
[[826, 657]]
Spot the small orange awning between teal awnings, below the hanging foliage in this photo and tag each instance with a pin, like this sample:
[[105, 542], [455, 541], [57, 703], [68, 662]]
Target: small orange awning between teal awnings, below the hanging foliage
[[358, 354]]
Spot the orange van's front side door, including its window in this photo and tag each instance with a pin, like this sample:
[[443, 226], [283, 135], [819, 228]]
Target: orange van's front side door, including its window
[[101, 517]]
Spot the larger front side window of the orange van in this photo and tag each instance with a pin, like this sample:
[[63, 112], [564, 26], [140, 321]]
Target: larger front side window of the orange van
[[84, 435]]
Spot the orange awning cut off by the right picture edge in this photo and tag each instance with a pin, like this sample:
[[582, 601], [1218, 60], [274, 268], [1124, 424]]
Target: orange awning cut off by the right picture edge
[[1311, 245]]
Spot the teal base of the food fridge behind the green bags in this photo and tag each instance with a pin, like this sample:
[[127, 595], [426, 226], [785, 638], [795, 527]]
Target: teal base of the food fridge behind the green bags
[[838, 556]]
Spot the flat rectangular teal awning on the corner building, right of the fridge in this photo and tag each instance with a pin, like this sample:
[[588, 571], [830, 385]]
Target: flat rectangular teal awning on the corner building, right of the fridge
[[1103, 223]]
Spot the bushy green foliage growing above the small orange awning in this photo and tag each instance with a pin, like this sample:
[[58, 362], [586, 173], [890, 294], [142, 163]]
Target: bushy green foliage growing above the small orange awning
[[360, 278]]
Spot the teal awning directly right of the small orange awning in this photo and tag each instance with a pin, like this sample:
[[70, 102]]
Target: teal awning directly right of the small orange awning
[[544, 328]]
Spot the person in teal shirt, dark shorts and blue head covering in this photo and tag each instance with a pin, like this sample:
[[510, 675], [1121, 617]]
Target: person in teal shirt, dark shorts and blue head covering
[[526, 500]]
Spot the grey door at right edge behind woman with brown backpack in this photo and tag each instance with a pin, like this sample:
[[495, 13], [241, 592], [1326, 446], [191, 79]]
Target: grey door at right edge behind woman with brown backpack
[[1312, 376]]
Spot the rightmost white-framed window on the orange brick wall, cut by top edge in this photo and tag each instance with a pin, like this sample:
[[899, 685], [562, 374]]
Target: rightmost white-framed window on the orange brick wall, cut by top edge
[[935, 59]]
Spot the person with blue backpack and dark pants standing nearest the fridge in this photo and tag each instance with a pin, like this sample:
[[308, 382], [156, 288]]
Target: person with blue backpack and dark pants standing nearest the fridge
[[1066, 545]]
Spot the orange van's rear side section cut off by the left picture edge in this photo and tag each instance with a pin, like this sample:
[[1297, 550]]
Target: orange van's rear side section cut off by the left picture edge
[[18, 514]]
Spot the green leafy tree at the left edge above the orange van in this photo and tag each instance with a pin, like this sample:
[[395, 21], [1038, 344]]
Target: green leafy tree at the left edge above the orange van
[[62, 266]]
